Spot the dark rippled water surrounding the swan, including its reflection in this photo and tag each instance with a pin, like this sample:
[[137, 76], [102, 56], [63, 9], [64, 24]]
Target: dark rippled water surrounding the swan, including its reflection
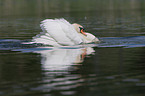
[[115, 67]]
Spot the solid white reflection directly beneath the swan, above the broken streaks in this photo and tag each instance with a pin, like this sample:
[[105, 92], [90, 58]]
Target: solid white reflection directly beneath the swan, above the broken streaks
[[62, 59]]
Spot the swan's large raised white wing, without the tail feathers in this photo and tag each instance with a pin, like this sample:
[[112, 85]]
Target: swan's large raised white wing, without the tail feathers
[[61, 31]]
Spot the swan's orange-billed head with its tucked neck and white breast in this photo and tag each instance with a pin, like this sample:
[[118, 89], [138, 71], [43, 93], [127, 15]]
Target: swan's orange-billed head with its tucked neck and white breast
[[87, 37]]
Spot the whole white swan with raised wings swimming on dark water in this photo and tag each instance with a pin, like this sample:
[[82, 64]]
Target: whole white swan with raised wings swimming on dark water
[[59, 32]]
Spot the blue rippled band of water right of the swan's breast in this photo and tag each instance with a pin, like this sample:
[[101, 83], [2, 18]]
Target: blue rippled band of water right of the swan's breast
[[125, 42]]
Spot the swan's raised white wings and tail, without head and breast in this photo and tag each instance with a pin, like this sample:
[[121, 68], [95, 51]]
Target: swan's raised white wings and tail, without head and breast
[[57, 32]]
